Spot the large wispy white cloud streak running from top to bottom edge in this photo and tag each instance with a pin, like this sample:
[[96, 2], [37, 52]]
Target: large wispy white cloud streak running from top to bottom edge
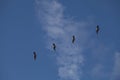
[[61, 29]]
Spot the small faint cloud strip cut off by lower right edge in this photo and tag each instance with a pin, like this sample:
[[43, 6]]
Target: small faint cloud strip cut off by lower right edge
[[116, 70]]
